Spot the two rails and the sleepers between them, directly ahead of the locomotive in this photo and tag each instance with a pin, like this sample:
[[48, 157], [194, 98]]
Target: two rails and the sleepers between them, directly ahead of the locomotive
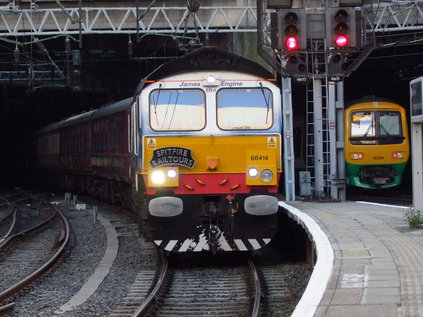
[[204, 291]]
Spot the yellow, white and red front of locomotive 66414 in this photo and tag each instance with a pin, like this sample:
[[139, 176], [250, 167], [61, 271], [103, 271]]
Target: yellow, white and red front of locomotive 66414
[[210, 160]]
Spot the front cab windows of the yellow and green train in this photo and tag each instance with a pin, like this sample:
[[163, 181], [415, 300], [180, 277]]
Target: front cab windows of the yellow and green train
[[376, 127]]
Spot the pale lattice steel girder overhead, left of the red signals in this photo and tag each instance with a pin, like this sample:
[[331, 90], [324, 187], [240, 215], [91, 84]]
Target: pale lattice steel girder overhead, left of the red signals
[[170, 20]]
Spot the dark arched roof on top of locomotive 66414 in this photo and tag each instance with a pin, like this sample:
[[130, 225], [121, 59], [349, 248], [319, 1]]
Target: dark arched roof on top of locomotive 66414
[[208, 58]]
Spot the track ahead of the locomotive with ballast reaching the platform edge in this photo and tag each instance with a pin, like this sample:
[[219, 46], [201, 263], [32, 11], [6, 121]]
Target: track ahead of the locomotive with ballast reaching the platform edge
[[240, 289]]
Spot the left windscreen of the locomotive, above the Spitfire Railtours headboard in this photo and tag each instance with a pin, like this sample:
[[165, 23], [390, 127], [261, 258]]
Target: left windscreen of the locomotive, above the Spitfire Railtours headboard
[[177, 110]]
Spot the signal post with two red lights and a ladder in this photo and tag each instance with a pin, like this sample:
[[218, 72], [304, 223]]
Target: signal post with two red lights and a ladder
[[317, 43]]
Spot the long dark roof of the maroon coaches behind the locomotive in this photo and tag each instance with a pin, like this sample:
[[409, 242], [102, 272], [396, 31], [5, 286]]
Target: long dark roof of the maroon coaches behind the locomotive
[[92, 114]]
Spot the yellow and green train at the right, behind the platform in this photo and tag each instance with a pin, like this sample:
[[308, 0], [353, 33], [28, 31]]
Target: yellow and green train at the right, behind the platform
[[377, 146]]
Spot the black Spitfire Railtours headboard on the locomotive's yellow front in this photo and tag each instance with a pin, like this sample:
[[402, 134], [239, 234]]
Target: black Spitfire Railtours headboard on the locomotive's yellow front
[[172, 155]]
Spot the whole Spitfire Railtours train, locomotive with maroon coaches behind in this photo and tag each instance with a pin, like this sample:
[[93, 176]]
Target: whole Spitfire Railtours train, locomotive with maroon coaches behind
[[196, 150]]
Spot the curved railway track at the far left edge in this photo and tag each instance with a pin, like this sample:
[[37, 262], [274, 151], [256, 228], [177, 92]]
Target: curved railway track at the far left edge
[[24, 247]]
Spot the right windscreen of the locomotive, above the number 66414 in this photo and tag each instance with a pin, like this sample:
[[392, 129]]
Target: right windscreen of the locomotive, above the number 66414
[[244, 109]]
